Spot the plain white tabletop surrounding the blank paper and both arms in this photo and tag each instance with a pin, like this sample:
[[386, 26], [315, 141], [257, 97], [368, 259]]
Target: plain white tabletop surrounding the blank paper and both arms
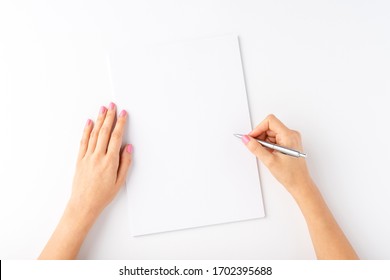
[[322, 67]]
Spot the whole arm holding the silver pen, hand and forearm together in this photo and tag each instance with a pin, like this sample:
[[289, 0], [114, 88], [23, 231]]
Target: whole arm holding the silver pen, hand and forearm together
[[328, 239]]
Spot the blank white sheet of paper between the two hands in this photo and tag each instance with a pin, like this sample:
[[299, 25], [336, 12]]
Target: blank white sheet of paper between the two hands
[[185, 100]]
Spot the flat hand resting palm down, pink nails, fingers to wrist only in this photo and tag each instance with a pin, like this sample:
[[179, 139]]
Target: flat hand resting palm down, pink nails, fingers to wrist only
[[101, 165]]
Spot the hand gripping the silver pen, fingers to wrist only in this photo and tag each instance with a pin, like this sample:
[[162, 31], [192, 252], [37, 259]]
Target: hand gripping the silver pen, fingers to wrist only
[[289, 171]]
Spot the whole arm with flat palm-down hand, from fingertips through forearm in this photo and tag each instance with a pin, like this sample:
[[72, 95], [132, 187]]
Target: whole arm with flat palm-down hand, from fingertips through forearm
[[100, 172]]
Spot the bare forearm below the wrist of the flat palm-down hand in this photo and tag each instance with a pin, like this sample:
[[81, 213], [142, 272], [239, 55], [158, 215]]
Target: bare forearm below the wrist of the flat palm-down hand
[[70, 233]]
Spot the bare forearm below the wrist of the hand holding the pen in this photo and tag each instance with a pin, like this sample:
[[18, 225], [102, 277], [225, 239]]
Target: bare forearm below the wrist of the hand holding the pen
[[328, 239]]
